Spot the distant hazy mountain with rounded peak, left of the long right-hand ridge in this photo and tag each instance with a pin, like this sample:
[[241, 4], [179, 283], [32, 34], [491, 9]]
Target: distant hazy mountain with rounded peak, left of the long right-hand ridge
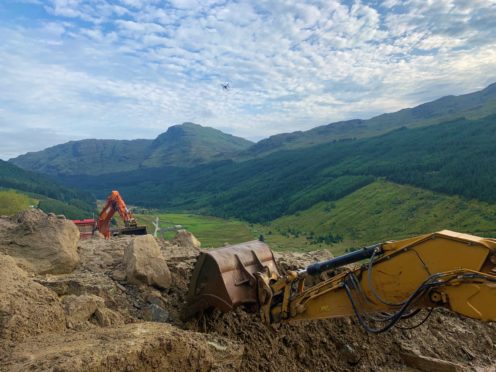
[[187, 144]]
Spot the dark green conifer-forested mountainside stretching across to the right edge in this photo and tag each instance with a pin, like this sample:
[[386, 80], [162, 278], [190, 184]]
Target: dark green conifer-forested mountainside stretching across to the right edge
[[456, 157]]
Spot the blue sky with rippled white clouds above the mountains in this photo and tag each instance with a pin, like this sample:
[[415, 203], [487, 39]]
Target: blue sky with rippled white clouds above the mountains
[[125, 69]]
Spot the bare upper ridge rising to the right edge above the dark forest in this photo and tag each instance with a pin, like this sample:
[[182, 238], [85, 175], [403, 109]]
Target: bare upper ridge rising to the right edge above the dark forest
[[472, 106]]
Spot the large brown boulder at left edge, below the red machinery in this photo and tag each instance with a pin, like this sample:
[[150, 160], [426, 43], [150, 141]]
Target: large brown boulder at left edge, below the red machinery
[[40, 243]]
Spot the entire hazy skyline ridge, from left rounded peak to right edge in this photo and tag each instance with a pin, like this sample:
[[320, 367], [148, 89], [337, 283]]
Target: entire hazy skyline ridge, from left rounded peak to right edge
[[190, 144]]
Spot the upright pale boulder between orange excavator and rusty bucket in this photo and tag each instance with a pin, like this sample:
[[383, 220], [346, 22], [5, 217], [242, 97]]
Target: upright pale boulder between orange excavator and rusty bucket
[[145, 263]]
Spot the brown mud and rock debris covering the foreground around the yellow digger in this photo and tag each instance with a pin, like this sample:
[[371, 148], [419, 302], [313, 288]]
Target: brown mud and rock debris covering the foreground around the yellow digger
[[96, 318]]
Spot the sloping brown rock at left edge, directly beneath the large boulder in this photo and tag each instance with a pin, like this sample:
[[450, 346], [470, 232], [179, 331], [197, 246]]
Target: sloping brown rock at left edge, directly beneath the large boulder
[[26, 308]]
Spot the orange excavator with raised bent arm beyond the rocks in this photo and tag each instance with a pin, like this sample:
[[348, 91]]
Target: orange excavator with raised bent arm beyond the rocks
[[115, 203]]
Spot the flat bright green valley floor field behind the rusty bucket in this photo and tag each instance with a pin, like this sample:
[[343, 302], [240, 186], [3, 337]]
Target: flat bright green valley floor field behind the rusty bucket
[[211, 231]]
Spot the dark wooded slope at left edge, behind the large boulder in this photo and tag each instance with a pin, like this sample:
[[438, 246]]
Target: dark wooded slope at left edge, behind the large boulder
[[36, 188]]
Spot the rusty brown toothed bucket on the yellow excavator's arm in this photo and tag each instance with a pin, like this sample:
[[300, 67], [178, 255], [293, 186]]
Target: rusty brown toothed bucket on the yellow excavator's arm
[[223, 277]]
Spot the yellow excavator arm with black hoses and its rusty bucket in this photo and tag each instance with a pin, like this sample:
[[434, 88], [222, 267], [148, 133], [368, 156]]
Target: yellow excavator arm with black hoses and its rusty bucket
[[392, 281]]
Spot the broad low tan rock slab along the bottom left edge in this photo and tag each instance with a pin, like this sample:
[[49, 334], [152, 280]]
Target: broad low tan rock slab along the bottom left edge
[[131, 347]]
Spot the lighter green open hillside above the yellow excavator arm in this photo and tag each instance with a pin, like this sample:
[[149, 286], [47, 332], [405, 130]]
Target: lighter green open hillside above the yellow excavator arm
[[381, 211]]
